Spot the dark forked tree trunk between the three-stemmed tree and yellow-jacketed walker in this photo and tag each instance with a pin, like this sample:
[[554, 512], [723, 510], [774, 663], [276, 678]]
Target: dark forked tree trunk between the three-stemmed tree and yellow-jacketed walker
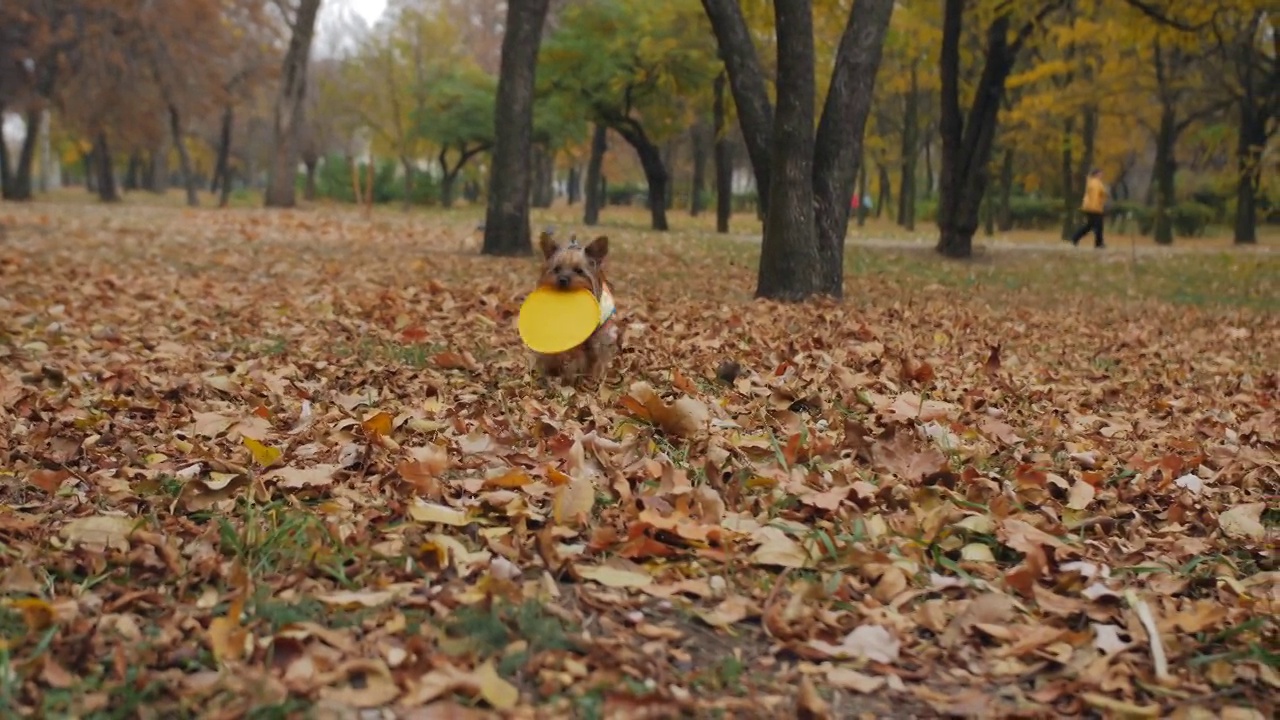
[[967, 143]]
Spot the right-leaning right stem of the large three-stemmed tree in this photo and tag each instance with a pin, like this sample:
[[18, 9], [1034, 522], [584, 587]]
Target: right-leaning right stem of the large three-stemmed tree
[[839, 142]]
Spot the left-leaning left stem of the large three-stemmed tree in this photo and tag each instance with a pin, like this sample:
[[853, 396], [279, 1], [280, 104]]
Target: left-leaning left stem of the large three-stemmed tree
[[747, 84]]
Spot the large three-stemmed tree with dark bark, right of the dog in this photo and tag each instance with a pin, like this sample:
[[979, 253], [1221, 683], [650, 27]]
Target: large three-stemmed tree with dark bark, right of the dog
[[807, 216]]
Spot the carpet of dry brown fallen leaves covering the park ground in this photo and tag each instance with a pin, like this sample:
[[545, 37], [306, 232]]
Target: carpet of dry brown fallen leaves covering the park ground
[[255, 464]]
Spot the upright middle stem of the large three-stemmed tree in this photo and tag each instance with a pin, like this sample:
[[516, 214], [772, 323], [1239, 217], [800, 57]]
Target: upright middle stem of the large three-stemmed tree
[[792, 266]]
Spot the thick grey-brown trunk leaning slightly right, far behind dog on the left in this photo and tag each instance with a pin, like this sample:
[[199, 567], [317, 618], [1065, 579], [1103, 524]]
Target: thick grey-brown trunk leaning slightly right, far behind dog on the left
[[290, 112]]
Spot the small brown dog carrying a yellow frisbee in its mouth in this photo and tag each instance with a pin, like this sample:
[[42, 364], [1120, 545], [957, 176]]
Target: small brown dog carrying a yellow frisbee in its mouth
[[572, 267]]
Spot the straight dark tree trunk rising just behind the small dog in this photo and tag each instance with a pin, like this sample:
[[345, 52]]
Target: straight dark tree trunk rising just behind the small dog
[[506, 231]]
